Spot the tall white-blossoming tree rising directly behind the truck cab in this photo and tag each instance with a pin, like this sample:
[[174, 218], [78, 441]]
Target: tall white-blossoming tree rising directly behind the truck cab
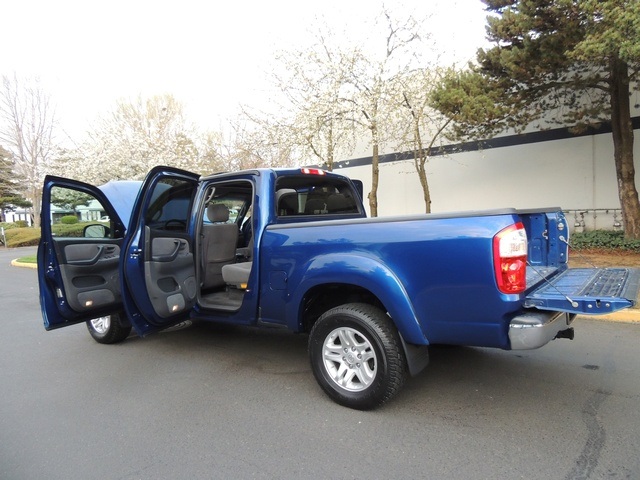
[[339, 92]]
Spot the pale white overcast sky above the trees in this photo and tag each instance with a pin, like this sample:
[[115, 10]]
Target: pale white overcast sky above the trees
[[211, 56]]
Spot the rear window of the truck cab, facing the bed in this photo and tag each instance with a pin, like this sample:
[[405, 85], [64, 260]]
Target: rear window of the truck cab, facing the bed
[[314, 195]]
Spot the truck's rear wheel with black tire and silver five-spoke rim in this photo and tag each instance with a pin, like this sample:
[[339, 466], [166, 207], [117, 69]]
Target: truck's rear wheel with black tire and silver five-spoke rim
[[357, 356]]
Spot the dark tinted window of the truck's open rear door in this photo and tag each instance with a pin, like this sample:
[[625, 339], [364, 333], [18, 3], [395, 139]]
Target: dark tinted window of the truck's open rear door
[[170, 205]]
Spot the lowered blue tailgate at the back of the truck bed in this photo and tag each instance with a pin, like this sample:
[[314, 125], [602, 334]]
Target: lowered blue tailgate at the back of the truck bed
[[587, 291]]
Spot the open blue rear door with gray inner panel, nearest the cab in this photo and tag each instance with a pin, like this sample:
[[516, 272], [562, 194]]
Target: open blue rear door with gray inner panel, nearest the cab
[[159, 281]]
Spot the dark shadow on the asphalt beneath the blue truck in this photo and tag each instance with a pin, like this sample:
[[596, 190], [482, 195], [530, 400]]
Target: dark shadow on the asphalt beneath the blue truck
[[456, 377]]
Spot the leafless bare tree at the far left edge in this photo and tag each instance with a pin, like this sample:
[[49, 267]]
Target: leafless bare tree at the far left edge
[[27, 130]]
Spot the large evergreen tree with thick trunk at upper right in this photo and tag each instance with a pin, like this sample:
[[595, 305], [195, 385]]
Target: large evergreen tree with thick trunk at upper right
[[569, 62]]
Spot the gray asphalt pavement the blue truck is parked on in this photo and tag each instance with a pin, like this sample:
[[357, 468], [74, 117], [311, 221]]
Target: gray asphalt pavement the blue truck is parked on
[[203, 401]]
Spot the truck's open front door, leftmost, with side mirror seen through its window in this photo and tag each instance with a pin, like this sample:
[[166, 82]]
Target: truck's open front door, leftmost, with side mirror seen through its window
[[78, 254]]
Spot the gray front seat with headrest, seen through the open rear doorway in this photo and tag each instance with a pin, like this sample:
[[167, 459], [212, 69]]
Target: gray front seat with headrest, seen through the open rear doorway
[[219, 240]]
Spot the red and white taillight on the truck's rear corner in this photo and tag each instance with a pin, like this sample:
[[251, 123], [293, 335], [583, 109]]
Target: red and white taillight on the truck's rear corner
[[510, 259]]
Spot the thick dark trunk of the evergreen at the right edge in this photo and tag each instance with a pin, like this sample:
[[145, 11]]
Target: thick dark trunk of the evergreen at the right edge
[[622, 131]]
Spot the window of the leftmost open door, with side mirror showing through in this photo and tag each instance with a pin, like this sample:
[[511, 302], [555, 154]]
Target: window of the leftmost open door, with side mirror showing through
[[77, 214]]
